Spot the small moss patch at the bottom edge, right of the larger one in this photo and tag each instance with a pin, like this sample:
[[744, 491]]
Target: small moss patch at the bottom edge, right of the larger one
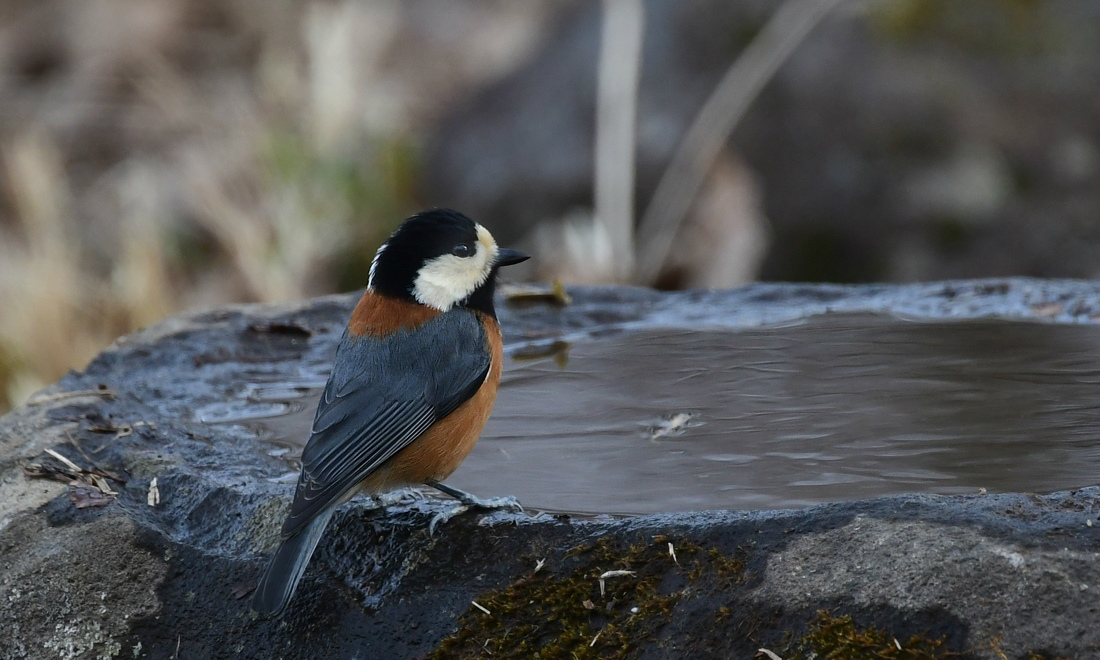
[[839, 639]]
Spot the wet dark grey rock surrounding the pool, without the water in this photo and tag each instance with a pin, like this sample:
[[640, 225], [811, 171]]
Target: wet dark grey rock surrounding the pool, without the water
[[989, 575]]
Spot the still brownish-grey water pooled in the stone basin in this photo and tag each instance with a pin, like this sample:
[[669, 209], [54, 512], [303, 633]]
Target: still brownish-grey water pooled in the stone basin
[[838, 408]]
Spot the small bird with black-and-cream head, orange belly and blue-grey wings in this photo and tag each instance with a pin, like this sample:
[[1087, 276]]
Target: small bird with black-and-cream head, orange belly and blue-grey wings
[[413, 384]]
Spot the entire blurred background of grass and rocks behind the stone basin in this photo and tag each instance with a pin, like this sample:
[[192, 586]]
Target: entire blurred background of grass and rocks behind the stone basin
[[161, 156]]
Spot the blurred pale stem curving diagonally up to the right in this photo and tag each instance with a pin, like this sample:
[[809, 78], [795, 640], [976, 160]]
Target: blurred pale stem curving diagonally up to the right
[[742, 84]]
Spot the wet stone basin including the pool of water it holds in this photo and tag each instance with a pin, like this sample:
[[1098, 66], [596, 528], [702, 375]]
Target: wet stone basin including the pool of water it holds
[[865, 453]]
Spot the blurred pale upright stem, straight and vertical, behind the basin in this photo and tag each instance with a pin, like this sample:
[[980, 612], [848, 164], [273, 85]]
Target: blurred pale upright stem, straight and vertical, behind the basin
[[617, 103]]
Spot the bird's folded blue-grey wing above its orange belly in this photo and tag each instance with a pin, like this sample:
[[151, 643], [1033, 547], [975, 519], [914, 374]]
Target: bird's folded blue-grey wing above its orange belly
[[382, 395]]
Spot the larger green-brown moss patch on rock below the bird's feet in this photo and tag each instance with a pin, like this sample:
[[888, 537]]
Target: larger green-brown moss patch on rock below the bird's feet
[[560, 613]]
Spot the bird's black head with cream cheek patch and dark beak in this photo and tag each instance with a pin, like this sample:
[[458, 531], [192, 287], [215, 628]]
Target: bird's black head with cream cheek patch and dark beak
[[442, 259]]
